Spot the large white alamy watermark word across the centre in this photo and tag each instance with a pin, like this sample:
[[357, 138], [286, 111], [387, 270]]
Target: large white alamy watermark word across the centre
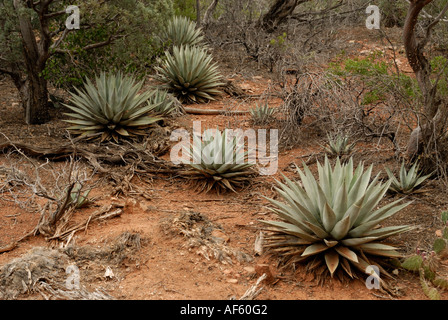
[[201, 149]]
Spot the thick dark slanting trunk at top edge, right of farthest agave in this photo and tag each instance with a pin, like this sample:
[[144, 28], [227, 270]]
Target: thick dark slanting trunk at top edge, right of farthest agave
[[278, 13]]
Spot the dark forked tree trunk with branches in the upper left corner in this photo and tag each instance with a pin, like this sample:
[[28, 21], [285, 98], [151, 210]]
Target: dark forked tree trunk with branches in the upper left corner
[[36, 42]]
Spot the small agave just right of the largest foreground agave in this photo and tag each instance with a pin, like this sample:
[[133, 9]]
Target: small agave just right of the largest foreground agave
[[409, 180]]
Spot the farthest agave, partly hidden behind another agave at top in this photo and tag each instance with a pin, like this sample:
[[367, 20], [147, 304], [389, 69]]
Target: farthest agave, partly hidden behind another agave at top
[[182, 31]]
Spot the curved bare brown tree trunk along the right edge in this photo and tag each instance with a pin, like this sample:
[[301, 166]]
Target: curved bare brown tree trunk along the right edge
[[434, 121]]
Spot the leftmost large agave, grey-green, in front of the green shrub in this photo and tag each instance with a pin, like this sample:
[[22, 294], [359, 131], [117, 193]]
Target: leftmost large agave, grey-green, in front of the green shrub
[[112, 107]]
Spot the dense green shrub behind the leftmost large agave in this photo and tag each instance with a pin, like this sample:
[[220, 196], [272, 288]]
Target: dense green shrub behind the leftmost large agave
[[135, 51]]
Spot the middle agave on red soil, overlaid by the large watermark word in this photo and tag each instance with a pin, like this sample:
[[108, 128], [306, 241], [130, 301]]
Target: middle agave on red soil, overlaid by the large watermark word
[[218, 162]]
